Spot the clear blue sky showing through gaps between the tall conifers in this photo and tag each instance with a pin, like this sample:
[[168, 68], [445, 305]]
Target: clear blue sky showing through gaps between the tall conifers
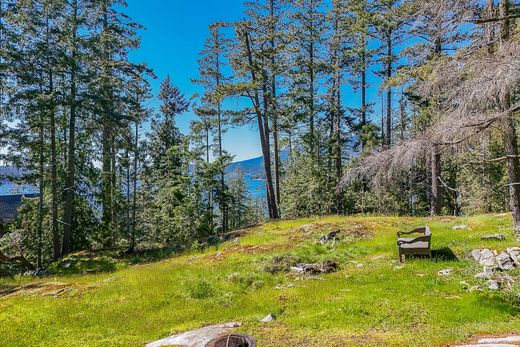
[[175, 34]]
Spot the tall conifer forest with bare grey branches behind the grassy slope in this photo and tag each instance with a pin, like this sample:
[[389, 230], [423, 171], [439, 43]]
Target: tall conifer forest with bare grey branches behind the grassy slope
[[394, 107]]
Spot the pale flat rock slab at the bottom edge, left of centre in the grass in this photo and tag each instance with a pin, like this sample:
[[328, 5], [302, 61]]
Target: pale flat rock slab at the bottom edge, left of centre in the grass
[[197, 338]]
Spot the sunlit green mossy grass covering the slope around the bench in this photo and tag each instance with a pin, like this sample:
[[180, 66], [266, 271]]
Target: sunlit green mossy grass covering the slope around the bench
[[377, 304]]
